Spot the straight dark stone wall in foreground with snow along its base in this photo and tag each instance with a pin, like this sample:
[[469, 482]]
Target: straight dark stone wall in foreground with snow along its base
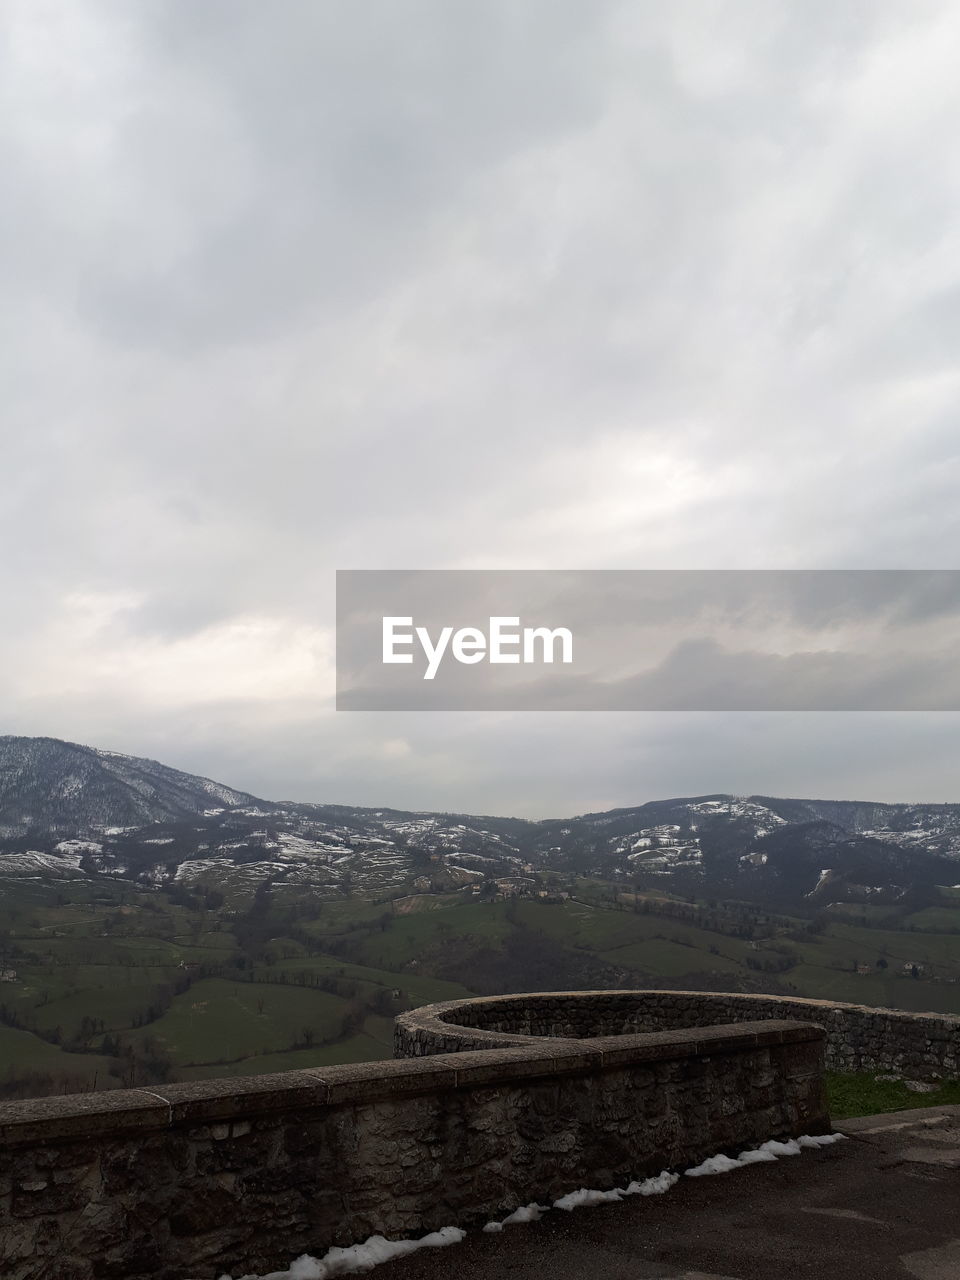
[[190, 1181]]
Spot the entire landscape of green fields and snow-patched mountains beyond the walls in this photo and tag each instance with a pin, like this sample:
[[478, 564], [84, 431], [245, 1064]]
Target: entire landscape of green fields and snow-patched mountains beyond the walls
[[223, 935]]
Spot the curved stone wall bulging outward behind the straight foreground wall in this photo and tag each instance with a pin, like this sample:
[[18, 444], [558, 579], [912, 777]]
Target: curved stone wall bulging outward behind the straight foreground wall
[[858, 1037]]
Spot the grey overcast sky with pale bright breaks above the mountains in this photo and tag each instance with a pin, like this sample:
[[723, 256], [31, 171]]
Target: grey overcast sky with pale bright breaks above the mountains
[[318, 285]]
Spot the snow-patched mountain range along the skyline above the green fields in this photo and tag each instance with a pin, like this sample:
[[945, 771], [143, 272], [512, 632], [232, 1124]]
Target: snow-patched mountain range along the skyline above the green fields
[[70, 811]]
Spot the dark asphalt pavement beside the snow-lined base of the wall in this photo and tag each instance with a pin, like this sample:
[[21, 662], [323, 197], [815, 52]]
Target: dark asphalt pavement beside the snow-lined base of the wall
[[884, 1205]]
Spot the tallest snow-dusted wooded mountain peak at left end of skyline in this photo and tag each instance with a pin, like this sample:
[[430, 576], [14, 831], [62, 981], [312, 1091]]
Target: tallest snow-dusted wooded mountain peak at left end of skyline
[[49, 787]]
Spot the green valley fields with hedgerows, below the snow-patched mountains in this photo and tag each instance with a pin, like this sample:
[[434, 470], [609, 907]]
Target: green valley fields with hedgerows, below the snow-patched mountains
[[118, 985]]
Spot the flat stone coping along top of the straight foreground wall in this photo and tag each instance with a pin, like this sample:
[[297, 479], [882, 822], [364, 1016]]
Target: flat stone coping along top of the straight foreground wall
[[100, 1117]]
